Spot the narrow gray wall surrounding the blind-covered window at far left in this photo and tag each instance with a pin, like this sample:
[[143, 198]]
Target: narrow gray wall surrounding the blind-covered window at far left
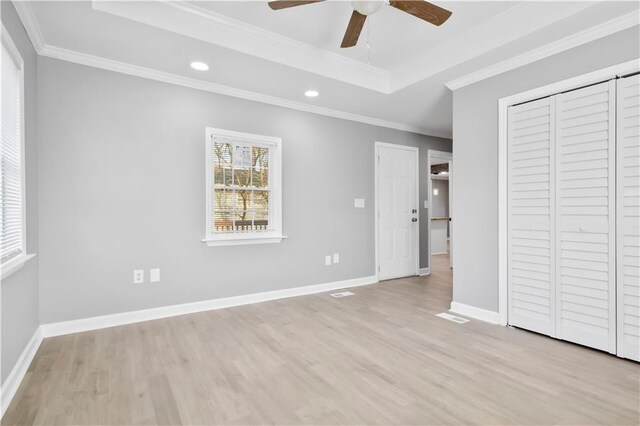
[[20, 290]]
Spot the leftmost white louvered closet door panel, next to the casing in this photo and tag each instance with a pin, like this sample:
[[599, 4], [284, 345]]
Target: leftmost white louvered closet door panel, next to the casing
[[531, 253]]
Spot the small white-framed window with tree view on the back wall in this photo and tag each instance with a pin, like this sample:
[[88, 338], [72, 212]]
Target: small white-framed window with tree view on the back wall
[[244, 188]]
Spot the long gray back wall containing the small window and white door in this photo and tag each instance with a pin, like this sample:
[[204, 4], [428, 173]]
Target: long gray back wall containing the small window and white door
[[123, 183]]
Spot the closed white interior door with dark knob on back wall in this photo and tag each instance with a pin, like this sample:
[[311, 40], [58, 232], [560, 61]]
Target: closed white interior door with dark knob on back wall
[[397, 201]]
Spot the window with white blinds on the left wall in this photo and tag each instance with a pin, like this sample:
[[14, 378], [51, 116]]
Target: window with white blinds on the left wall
[[12, 216]]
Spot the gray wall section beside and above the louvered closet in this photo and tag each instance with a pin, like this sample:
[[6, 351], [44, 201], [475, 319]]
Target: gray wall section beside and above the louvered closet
[[475, 155]]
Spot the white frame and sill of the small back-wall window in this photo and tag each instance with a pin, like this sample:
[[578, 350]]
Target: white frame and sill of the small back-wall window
[[274, 234]]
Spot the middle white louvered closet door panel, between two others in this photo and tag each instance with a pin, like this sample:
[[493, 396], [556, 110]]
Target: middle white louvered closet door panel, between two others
[[585, 216]]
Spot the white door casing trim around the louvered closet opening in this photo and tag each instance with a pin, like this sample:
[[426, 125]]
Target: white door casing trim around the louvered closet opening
[[601, 75]]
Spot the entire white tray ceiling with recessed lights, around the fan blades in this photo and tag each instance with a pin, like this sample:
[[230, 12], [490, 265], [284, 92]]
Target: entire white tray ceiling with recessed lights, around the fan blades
[[277, 55]]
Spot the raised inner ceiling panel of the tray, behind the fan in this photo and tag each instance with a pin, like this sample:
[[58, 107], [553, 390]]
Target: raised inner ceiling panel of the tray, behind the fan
[[394, 37]]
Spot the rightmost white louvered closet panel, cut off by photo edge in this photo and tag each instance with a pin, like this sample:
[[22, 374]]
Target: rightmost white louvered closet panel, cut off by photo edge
[[628, 208]]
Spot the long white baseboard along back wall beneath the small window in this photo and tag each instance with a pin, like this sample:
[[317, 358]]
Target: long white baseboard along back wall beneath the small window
[[106, 321]]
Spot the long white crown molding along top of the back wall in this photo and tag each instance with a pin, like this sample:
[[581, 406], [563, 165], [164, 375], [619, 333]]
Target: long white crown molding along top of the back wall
[[165, 77]]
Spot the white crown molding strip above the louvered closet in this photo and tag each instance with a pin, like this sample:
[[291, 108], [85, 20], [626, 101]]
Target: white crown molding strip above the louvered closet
[[600, 31]]
